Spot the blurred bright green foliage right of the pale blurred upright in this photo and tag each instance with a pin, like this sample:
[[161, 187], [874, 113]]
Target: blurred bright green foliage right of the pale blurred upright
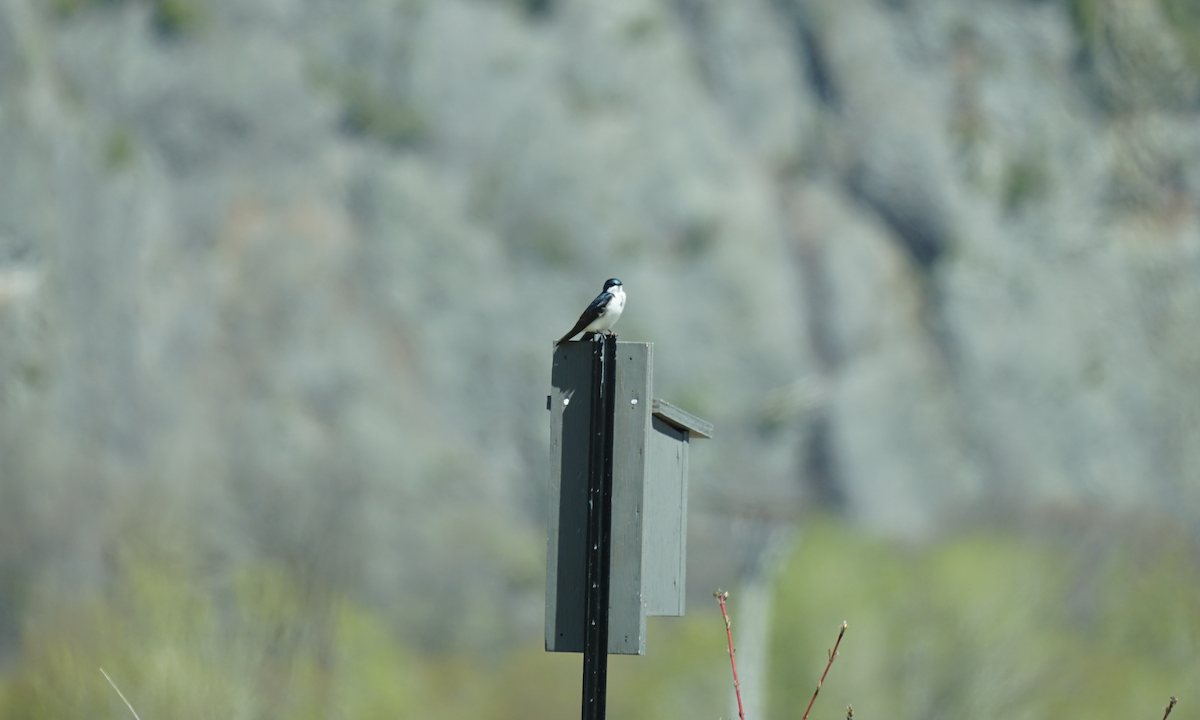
[[991, 626]]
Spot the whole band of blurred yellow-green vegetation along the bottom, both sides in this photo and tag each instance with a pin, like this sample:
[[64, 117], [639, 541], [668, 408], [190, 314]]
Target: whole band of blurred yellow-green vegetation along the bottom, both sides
[[1105, 622]]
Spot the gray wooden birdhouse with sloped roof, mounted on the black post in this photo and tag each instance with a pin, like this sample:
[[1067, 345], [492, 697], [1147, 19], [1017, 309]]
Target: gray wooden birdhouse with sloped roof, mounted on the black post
[[650, 442]]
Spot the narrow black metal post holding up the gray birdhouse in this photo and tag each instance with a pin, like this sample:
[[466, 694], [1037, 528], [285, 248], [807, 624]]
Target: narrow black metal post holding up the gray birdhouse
[[596, 634]]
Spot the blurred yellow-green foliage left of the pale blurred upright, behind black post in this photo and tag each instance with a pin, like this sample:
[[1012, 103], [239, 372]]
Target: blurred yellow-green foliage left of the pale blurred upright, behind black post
[[267, 645]]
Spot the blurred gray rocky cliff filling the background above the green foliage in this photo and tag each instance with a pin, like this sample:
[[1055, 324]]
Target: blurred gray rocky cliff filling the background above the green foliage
[[285, 274]]
